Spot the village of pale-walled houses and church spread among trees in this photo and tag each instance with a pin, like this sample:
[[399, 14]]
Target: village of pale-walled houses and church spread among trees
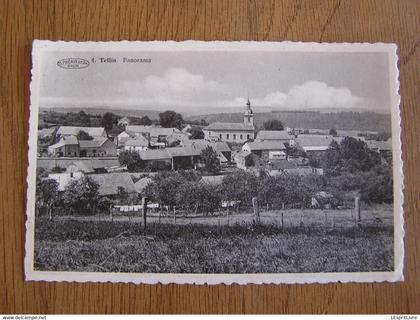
[[125, 163]]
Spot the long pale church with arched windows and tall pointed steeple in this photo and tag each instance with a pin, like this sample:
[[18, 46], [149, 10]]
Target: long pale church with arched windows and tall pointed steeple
[[232, 131]]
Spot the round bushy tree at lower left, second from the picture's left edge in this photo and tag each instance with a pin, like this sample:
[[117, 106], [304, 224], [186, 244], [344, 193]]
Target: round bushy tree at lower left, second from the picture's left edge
[[82, 195]]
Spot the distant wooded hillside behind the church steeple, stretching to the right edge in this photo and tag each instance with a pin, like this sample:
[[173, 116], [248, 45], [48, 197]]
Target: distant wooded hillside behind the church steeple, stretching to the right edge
[[306, 119]]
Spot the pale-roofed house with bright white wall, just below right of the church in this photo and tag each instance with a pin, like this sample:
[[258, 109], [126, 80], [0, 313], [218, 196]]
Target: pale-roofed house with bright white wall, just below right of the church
[[267, 150]]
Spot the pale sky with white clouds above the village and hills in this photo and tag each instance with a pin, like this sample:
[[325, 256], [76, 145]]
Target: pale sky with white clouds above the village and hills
[[217, 80]]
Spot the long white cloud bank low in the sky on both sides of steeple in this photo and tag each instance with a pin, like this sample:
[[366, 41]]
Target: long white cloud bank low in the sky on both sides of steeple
[[178, 87]]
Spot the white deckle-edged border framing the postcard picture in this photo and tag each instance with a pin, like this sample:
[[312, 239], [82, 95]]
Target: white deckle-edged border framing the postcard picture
[[153, 278]]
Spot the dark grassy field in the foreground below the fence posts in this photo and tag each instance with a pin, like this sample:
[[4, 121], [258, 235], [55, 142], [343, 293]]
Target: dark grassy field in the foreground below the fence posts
[[122, 246]]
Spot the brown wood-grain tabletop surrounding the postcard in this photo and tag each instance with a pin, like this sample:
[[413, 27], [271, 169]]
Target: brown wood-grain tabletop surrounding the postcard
[[331, 21]]
